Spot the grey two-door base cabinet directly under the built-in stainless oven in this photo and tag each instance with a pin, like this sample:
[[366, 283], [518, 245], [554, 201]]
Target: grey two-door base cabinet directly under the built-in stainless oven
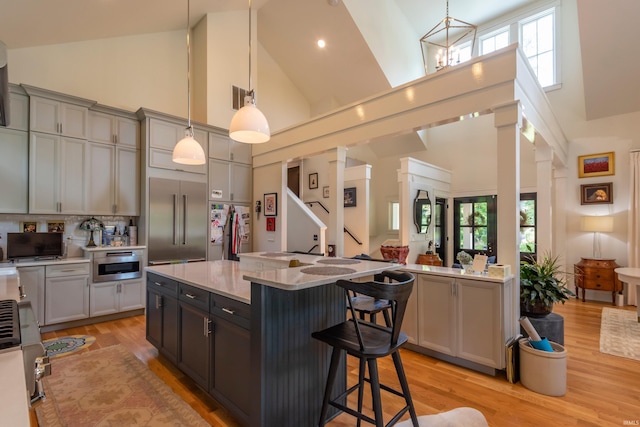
[[115, 297]]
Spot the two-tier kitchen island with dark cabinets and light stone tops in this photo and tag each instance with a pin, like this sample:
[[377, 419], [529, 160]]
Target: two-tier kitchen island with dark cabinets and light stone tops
[[255, 354]]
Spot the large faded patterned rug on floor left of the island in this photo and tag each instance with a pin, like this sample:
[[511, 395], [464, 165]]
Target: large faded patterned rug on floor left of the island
[[110, 387]]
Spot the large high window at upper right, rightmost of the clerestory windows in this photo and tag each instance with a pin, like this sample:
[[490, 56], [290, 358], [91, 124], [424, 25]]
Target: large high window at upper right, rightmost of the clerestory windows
[[537, 39]]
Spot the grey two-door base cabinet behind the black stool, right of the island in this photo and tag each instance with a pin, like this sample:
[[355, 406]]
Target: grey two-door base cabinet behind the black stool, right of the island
[[463, 318]]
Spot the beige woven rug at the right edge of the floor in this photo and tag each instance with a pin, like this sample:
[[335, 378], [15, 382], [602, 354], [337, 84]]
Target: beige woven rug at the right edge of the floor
[[620, 333]]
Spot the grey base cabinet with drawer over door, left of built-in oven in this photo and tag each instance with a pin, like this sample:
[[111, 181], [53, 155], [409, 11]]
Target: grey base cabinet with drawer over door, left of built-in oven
[[66, 292]]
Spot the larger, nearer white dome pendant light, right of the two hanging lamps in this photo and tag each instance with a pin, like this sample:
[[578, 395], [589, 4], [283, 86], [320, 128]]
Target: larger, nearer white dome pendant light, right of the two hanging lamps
[[248, 124]]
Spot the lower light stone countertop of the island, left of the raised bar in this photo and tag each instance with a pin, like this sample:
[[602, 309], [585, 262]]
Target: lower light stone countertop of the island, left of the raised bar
[[220, 277]]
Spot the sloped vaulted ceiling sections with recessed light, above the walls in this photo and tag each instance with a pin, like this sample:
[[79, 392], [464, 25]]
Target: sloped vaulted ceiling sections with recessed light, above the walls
[[346, 70]]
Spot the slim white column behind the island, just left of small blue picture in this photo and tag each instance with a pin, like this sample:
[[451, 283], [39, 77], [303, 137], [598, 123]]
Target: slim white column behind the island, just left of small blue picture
[[337, 159]]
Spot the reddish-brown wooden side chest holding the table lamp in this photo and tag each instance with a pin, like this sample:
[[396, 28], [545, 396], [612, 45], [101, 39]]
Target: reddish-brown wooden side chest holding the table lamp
[[597, 274]]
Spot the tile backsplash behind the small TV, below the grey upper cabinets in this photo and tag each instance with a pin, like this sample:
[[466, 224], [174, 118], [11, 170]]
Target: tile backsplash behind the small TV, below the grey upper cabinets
[[74, 238]]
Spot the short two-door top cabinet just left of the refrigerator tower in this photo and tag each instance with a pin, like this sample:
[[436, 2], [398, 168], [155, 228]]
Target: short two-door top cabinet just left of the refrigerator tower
[[113, 129]]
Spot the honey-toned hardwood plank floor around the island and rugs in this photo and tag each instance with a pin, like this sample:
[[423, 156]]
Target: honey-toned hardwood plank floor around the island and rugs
[[602, 390]]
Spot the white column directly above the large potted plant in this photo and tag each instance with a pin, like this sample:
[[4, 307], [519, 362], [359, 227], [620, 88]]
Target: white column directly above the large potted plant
[[544, 185]]
